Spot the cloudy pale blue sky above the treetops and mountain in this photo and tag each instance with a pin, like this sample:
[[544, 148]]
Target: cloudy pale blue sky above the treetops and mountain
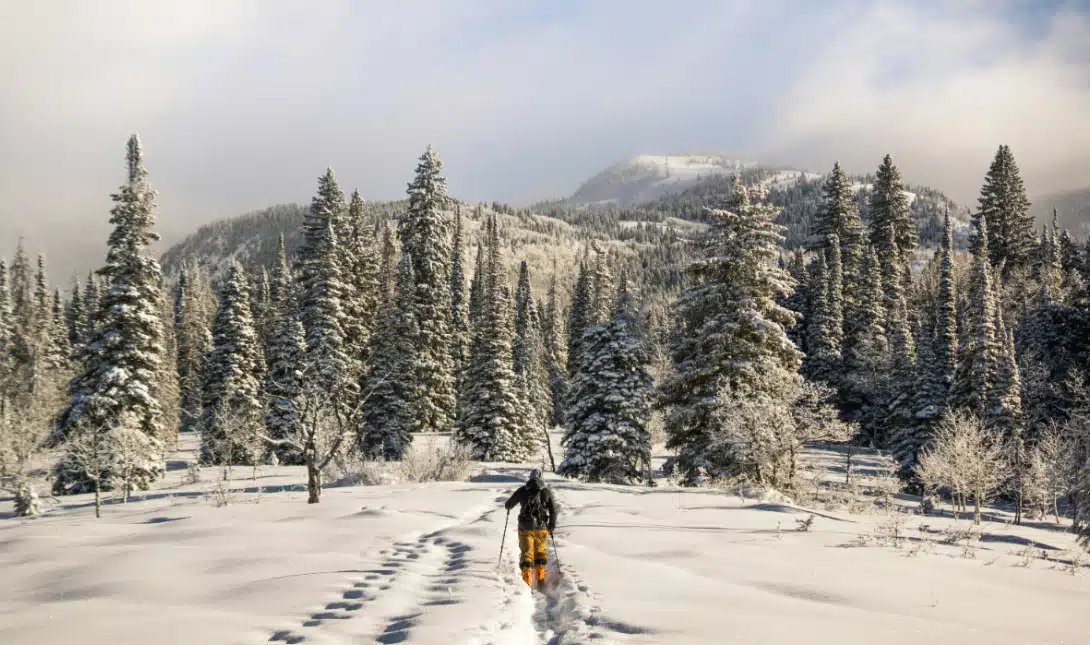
[[243, 104]]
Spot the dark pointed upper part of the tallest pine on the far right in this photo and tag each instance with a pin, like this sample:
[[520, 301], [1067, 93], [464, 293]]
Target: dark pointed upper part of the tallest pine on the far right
[[1004, 208]]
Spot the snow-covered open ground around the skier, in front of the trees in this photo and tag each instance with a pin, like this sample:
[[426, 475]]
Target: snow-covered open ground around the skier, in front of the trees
[[418, 564]]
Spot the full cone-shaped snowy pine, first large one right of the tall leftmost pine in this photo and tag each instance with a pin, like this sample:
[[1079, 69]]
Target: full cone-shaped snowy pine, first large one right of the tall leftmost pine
[[232, 398]]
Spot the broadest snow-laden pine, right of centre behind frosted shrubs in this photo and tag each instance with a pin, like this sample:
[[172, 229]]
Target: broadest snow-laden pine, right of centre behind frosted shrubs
[[731, 342]]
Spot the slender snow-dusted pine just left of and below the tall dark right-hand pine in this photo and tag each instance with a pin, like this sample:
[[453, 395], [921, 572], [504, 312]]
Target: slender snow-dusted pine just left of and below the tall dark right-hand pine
[[978, 357]]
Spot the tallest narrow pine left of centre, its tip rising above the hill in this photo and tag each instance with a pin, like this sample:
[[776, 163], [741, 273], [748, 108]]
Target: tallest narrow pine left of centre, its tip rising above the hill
[[425, 232]]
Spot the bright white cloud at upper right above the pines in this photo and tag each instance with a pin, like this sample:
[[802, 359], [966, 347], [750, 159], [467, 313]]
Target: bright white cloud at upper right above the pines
[[940, 92]]
